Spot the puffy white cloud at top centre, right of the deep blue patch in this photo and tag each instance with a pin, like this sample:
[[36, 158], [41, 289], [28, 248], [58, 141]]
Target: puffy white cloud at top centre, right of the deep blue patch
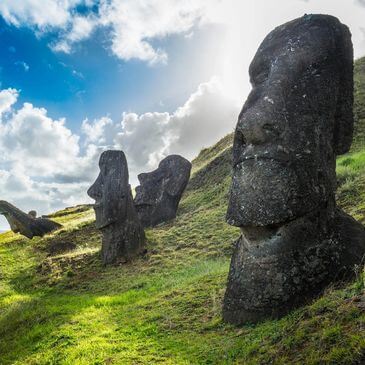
[[136, 23]]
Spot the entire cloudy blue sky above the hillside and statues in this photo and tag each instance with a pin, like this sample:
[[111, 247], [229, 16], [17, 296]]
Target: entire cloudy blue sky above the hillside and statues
[[150, 77]]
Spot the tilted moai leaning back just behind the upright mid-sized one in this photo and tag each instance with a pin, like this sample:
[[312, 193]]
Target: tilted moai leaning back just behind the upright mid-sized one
[[158, 196]]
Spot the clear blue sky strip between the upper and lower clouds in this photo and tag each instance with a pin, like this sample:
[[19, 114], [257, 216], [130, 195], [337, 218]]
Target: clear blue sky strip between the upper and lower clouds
[[91, 82]]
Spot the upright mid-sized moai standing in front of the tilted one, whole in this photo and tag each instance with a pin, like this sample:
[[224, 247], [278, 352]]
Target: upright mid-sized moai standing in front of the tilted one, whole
[[123, 235]]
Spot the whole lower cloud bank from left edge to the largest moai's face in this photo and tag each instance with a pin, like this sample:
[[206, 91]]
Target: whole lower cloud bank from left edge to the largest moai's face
[[45, 166]]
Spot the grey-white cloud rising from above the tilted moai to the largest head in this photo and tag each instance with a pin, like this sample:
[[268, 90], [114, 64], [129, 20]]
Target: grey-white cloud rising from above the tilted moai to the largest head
[[205, 117]]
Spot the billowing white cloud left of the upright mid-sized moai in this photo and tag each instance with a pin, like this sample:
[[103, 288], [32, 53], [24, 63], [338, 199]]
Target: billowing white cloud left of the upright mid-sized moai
[[41, 163]]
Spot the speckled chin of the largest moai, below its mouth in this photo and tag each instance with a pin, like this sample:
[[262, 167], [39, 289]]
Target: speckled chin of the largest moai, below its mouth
[[267, 192]]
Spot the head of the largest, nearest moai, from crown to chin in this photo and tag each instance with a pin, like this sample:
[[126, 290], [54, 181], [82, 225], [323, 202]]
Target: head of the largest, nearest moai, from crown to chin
[[296, 119]]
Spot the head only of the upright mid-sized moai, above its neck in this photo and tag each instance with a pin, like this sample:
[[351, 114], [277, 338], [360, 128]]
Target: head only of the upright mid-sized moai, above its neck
[[111, 190]]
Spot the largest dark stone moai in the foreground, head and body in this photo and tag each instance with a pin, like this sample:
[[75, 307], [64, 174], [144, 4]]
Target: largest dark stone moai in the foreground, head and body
[[297, 118]]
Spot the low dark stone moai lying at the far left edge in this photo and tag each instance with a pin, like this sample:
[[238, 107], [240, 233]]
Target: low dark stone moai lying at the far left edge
[[26, 224]]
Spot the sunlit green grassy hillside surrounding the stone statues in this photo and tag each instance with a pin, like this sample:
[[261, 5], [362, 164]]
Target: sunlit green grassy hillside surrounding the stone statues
[[165, 308]]
